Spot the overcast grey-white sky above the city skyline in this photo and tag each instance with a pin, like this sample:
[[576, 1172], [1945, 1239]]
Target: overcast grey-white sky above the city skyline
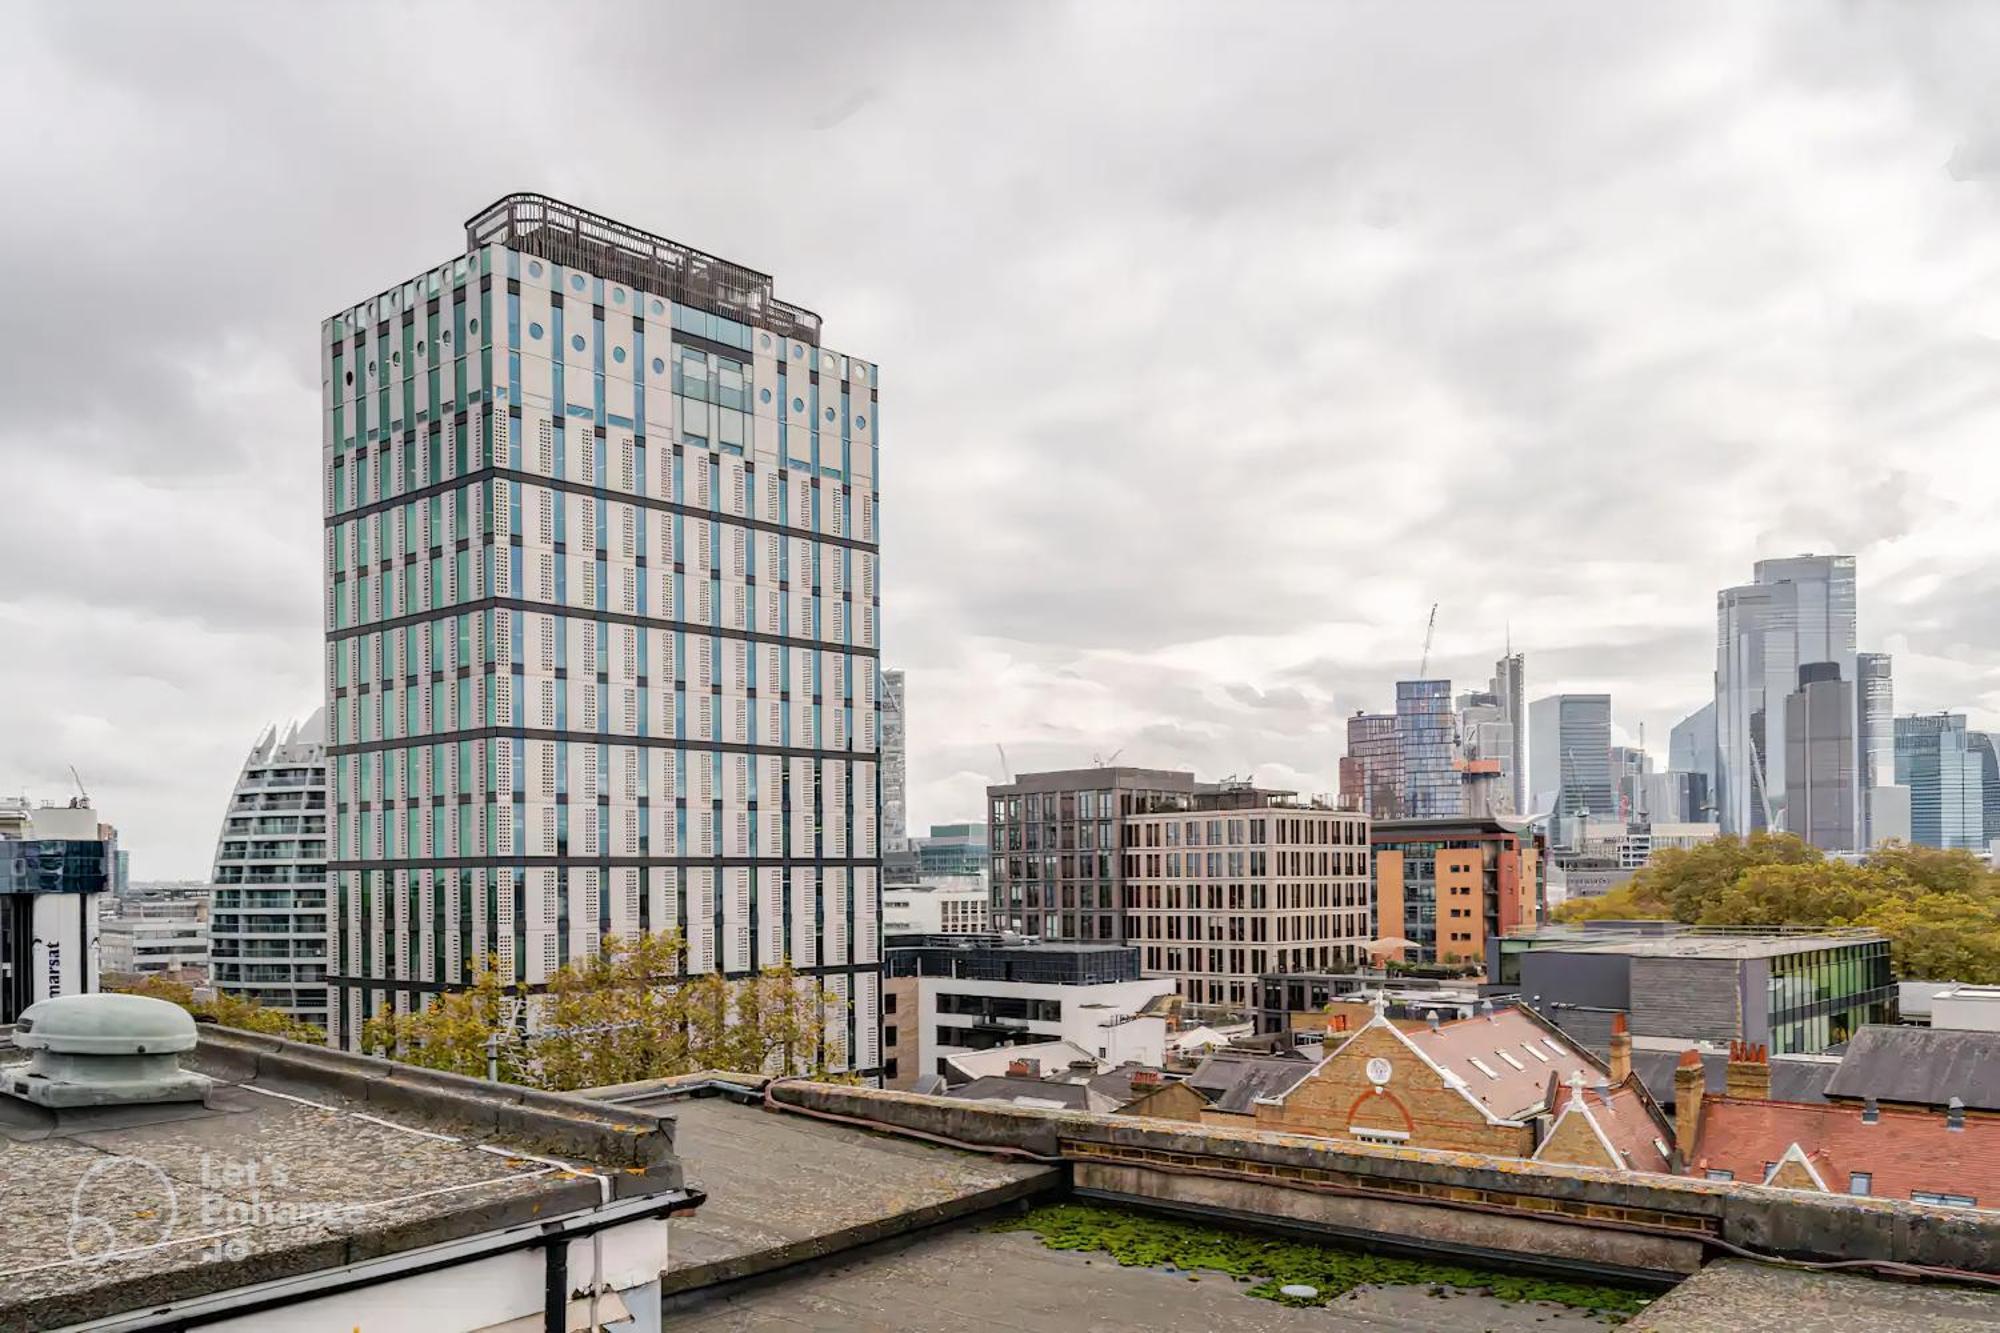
[[1217, 341]]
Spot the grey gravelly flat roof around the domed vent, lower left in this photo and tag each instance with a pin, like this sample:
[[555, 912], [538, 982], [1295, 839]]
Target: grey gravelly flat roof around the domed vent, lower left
[[301, 1160]]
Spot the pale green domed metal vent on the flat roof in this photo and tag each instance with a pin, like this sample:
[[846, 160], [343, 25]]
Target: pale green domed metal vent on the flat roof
[[105, 1052]]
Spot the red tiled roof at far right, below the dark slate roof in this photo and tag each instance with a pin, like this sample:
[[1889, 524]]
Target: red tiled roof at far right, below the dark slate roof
[[1905, 1152]]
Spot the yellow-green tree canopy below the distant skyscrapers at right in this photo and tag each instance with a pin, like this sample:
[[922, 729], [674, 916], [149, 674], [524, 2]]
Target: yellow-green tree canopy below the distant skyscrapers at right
[[1941, 910]]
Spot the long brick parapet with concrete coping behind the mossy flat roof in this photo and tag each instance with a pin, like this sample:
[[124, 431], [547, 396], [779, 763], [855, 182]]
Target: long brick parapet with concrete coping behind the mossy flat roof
[[1775, 1222]]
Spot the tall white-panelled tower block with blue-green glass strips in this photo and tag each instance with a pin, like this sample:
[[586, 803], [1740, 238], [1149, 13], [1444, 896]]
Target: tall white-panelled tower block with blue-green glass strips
[[601, 621]]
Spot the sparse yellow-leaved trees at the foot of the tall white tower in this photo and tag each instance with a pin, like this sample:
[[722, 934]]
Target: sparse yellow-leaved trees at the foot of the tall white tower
[[623, 1016]]
